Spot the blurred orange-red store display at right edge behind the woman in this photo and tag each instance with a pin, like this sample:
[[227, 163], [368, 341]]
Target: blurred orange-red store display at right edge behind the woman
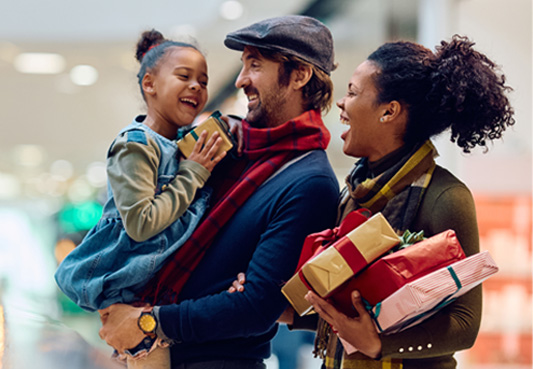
[[505, 339]]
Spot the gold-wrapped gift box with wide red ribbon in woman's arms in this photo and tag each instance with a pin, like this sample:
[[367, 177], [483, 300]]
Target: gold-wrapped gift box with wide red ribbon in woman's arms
[[328, 270]]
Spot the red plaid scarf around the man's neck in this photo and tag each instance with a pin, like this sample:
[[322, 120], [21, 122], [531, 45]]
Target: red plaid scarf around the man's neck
[[266, 151]]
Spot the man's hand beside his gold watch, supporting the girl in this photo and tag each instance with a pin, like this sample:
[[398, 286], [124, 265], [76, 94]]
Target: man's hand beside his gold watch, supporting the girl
[[119, 326]]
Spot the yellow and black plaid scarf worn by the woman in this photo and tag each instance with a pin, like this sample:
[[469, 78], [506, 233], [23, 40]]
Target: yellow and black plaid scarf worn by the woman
[[397, 194]]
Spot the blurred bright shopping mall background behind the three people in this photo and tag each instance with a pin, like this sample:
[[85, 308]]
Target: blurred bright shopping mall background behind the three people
[[68, 85]]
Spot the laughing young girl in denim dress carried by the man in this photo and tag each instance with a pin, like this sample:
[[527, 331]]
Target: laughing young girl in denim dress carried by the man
[[155, 200]]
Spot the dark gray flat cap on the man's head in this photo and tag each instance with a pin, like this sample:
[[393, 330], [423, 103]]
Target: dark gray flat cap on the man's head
[[297, 35]]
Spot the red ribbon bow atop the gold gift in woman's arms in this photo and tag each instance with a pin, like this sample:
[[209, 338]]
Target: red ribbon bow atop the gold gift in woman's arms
[[315, 243]]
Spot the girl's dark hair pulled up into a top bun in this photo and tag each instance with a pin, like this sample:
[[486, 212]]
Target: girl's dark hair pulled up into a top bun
[[151, 48]]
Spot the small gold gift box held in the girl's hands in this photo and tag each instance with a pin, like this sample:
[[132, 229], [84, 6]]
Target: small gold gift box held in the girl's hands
[[211, 125]]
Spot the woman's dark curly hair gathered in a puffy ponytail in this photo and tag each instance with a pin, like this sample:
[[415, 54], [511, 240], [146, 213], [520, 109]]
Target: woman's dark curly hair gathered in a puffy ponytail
[[456, 87]]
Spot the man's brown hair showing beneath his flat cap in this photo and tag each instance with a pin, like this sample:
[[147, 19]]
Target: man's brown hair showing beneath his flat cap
[[317, 93]]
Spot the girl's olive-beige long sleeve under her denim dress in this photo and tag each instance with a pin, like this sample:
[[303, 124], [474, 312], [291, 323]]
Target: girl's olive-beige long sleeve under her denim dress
[[132, 171]]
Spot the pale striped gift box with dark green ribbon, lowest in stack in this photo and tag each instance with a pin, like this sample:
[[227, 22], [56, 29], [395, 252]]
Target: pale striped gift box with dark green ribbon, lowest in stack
[[423, 297]]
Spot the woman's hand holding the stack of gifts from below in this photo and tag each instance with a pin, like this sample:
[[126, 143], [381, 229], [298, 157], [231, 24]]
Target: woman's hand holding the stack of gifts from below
[[359, 331]]
